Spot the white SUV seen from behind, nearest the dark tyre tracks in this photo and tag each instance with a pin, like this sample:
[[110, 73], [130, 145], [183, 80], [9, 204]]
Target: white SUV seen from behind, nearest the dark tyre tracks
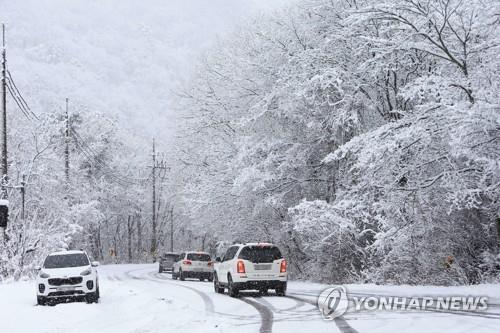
[[258, 266]]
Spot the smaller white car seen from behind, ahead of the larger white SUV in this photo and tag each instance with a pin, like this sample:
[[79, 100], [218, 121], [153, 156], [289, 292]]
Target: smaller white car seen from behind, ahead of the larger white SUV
[[193, 264]]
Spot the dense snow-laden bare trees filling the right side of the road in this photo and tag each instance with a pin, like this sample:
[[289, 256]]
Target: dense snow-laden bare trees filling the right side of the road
[[360, 135]]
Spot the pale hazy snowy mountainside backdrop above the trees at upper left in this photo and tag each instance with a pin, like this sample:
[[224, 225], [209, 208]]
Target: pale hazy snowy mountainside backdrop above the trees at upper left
[[122, 57]]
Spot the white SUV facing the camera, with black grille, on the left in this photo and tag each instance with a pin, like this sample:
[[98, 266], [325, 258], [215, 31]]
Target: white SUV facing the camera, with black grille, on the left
[[65, 275]]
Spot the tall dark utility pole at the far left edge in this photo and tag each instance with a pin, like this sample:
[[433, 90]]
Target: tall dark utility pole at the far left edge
[[4, 211]]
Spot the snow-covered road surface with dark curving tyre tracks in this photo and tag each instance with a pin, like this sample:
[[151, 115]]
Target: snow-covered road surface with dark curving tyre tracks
[[135, 298]]
